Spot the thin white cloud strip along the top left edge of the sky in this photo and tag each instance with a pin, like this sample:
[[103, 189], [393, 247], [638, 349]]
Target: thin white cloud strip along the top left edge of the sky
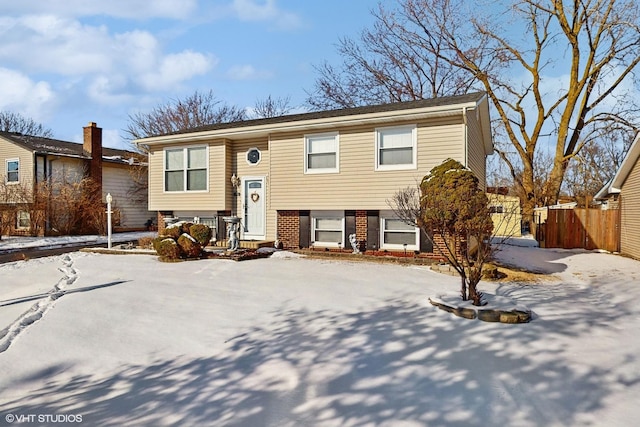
[[130, 9]]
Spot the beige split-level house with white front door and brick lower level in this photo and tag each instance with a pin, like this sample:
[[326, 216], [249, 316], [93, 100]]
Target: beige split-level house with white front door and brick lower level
[[313, 179]]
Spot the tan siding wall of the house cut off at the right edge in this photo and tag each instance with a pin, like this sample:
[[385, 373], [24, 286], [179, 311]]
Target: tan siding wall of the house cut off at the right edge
[[630, 214]]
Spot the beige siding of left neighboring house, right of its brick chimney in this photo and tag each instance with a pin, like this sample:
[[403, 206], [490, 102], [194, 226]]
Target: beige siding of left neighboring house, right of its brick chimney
[[116, 180]]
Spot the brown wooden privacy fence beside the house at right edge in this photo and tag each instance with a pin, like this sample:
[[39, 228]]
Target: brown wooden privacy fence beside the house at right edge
[[582, 228]]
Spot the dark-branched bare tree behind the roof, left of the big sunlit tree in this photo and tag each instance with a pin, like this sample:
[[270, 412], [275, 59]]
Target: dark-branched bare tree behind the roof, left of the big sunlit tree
[[387, 65]]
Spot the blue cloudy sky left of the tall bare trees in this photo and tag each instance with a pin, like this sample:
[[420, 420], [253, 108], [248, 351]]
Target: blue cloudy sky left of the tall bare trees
[[65, 63]]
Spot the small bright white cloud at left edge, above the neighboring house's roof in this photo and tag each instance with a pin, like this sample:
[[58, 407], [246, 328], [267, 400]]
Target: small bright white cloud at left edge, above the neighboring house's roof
[[23, 95]]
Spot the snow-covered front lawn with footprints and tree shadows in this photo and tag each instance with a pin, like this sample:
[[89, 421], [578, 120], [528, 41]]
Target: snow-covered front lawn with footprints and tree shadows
[[289, 341]]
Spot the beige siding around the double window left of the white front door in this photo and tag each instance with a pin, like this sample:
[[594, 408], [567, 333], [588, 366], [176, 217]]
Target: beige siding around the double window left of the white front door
[[213, 199]]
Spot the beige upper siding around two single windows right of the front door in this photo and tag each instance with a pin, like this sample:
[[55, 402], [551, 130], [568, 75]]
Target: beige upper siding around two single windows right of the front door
[[357, 185]]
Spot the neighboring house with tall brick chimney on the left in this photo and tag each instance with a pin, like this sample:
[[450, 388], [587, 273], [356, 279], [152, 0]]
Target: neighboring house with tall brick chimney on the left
[[28, 160]]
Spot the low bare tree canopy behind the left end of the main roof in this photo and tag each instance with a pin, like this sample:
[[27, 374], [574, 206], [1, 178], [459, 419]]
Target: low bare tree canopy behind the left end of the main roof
[[198, 109]]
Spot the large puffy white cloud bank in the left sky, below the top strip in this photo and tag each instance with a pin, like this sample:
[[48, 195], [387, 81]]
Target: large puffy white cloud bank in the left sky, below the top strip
[[112, 62]]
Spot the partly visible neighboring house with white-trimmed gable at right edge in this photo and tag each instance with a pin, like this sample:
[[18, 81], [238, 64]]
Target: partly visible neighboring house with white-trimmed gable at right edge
[[623, 191]]
